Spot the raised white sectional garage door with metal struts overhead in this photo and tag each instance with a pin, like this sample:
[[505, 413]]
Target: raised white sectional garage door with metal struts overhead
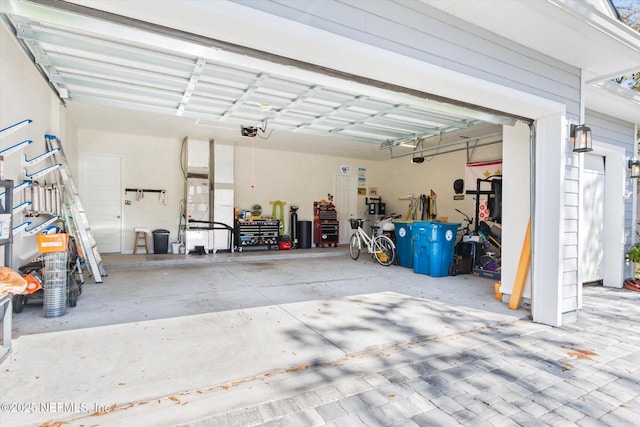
[[107, 62]]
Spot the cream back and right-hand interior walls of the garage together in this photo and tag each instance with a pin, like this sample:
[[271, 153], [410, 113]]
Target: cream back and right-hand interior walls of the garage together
[[296, 178]]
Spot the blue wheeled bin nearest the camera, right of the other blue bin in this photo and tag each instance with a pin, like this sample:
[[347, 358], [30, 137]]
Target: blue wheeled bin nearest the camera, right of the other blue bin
[[433, 247]]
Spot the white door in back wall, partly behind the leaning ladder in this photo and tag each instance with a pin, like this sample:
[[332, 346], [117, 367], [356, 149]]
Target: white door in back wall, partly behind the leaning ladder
[[101, 194]]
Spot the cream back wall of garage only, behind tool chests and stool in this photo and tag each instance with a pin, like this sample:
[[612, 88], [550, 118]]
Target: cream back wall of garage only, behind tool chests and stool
[[153, 162]]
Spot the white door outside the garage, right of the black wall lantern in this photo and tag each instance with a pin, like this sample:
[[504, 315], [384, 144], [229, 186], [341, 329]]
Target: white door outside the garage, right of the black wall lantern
[[592, 219]]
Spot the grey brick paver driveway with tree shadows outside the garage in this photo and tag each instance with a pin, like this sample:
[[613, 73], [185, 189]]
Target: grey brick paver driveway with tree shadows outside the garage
[[584, 373]]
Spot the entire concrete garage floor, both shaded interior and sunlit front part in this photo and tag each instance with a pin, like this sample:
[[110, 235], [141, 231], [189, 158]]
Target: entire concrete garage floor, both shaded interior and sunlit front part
[[165, 325]]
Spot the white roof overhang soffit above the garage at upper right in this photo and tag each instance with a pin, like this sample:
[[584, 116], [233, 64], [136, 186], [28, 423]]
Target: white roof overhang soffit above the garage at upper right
[[599, 44]]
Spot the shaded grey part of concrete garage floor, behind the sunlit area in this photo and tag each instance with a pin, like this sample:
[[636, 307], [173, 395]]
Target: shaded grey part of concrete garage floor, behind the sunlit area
[[149, 287]]
